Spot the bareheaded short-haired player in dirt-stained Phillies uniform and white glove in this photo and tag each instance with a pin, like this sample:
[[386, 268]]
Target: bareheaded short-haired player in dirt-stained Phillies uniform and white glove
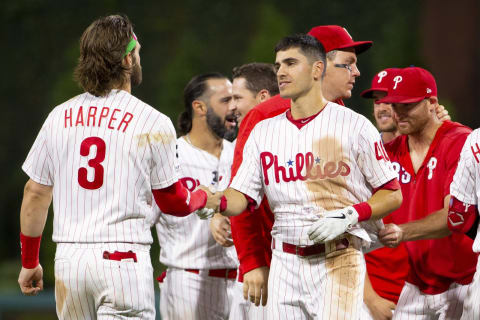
[[313, 174]]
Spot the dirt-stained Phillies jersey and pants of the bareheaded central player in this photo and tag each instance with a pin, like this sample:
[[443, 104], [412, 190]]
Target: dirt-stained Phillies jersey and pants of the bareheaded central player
[[306, 167]]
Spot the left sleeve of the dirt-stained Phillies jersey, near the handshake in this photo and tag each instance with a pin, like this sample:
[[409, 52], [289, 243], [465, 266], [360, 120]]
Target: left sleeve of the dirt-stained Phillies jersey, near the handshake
[[248, 179]]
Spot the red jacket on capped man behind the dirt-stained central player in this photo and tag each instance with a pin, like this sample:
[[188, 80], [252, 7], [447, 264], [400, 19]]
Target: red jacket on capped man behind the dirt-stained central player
[[251, 230]]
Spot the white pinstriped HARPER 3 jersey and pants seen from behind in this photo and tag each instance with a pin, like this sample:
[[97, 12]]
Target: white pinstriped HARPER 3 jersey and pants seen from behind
[[103, 156]]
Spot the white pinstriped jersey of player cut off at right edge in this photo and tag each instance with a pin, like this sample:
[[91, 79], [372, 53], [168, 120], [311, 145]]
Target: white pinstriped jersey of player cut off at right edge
[[466, 181]]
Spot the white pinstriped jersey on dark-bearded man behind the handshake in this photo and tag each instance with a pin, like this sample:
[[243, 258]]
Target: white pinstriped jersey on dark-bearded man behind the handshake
[[187, 242]]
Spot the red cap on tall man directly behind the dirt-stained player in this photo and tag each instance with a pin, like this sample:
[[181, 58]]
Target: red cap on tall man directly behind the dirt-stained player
[[335, 37]]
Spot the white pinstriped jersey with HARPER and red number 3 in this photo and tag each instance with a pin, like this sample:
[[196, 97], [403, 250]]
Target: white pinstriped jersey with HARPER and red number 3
[[103, 156]]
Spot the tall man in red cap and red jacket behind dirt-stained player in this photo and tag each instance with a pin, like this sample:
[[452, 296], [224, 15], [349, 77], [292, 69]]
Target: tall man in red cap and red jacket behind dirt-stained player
[[252, 231]]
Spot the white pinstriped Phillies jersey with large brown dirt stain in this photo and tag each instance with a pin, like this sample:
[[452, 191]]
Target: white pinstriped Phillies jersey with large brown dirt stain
[[333, 161]]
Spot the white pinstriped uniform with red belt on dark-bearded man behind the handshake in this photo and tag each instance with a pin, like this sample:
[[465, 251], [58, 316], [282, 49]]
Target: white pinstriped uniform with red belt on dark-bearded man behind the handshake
[[189, 291]]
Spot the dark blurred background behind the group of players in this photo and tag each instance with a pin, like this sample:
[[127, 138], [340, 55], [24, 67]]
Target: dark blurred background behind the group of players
[[183, 38]]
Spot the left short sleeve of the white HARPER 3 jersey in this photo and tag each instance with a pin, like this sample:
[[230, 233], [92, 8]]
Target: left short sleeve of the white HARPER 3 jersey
[[38, 165]]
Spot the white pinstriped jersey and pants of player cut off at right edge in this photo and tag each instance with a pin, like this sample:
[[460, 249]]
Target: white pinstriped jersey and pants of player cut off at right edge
[[466, 188]]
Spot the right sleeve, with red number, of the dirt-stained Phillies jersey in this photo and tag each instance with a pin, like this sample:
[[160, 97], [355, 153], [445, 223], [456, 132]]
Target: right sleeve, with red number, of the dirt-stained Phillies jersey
[[372, 157]]
